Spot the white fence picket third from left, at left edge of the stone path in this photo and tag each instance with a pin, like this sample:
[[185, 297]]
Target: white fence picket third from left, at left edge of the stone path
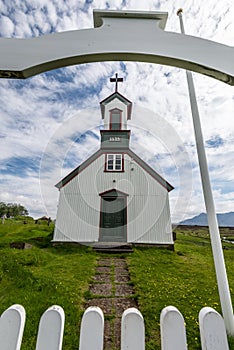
[[92, 329]]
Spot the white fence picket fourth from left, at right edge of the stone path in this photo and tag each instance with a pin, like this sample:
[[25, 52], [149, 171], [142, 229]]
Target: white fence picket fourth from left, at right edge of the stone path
[[132, 330]]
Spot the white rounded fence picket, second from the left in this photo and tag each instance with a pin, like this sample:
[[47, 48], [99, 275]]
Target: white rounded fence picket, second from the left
[[51, 326]]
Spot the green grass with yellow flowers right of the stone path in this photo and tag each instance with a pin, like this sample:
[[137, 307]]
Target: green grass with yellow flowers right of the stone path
[[184, 278]]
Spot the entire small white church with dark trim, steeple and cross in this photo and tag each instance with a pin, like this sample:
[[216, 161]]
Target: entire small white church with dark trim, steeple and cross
[[114, 196]]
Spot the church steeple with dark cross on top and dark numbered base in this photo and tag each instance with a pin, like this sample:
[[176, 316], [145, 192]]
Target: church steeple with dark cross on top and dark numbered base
[[116, 111]]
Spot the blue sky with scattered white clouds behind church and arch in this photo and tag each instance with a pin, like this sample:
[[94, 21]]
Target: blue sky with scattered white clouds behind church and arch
[[50, 123]]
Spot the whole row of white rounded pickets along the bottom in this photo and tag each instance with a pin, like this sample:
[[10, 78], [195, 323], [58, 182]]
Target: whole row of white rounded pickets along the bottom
[[51, 326]]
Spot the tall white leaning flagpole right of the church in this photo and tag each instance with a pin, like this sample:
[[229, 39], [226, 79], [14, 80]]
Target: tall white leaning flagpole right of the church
[[220, 269]]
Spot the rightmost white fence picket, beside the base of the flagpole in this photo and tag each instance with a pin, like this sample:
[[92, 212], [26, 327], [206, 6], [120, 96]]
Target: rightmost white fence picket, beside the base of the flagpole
[[212, 330]]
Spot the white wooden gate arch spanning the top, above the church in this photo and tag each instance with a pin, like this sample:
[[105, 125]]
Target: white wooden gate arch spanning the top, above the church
[[118, 35]]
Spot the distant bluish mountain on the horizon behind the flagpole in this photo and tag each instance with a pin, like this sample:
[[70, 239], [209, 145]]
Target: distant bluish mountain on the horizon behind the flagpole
[[226, 219]]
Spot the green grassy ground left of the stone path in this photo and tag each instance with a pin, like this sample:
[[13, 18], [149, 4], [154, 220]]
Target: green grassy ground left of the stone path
[[42, 276]]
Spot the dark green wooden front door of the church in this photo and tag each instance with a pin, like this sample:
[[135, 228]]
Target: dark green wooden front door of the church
[[113, 219]]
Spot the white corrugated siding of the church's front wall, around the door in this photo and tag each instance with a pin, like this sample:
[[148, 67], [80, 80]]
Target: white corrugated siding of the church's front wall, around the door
[[148, 212]]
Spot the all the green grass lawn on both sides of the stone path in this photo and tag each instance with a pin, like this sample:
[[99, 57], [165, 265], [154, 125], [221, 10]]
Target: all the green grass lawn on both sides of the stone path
[[45, 275]]
